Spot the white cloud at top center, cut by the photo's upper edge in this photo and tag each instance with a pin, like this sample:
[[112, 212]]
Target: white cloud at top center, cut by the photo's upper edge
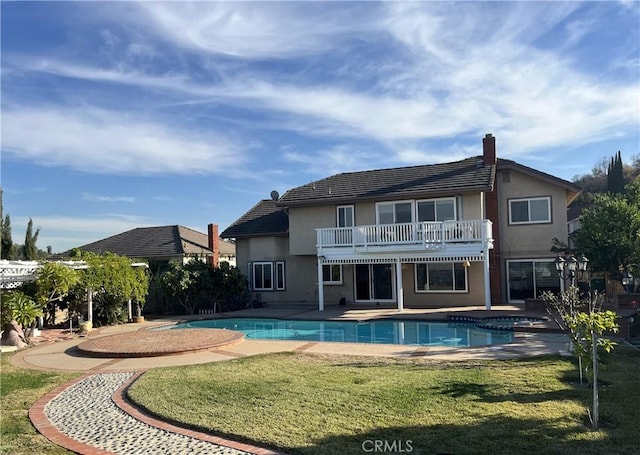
[[272, 30]]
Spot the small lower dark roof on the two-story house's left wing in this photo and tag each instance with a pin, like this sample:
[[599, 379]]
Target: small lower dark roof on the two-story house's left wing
[[264, 218]]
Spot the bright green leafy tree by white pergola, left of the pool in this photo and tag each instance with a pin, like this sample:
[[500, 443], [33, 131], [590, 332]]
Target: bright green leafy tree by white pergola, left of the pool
[[113, 281]]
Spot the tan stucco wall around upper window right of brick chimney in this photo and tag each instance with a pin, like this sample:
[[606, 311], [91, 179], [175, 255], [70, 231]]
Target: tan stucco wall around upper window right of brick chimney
[[530, 240]]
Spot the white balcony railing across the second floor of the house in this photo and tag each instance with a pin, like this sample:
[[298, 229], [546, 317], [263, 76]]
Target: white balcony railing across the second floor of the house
[[405, 236]]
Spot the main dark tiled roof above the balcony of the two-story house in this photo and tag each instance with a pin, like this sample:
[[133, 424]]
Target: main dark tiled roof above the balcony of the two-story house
[[426, 180]]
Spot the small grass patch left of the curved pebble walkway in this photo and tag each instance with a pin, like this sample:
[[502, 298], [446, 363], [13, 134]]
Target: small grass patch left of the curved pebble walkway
[[19, 389]]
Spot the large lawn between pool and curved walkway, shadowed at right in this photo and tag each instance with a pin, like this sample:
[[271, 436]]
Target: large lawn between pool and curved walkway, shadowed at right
[[305, 404]]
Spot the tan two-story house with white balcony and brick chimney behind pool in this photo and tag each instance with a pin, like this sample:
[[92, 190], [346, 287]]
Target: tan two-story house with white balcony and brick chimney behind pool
[[472, 232]]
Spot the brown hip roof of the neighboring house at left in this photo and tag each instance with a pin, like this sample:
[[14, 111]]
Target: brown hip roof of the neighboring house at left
[[155, 242]]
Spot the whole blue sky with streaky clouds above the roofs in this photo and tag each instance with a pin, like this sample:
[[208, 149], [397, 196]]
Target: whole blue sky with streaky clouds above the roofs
[[118, 115]]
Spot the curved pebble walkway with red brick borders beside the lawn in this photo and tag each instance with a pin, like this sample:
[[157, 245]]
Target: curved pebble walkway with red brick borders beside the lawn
[[91, 416]]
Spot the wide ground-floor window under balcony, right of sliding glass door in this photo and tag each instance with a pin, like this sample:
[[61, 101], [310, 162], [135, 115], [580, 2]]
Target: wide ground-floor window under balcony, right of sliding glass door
[[441, 277]]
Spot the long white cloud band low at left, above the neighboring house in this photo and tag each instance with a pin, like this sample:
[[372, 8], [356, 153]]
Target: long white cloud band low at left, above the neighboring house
[[96, 140]]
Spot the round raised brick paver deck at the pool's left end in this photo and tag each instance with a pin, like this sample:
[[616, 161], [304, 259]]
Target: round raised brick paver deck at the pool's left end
[[153, 343]]
